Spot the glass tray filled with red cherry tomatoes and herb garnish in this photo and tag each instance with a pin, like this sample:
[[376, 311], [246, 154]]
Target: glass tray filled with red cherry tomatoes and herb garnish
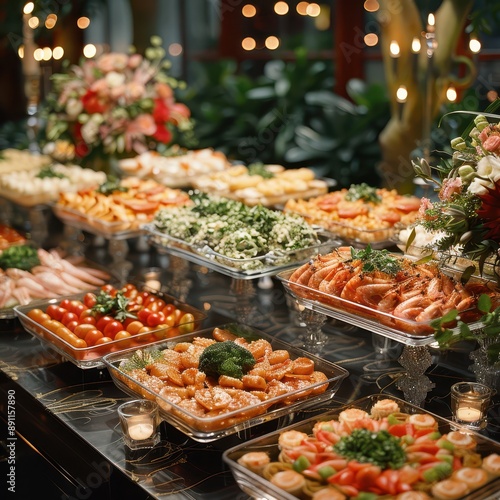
[[83, 328]]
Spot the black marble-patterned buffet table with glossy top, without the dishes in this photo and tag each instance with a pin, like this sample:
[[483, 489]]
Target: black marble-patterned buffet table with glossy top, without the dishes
[[60, 424]]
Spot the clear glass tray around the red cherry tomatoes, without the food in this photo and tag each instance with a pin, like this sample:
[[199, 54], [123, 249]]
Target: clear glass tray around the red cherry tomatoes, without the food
[[92, 357]]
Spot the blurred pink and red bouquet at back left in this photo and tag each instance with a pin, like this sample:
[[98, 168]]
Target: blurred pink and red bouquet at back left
[[115, 105]]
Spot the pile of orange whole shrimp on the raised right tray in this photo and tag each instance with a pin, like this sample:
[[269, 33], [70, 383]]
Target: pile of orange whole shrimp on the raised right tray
[[416, 293]]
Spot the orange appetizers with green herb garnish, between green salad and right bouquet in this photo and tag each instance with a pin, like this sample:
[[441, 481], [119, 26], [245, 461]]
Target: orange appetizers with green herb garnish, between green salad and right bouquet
[[360, 215]]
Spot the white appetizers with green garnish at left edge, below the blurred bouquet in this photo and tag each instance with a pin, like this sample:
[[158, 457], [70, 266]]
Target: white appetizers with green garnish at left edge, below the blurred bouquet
[[44, 184]]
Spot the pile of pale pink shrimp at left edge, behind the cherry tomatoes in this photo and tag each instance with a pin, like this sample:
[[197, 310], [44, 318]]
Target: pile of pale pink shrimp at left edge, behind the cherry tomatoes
[[55, 276]]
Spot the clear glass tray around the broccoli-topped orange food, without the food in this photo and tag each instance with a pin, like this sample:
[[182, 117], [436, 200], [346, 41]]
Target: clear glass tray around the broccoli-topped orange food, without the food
[[210, 428]]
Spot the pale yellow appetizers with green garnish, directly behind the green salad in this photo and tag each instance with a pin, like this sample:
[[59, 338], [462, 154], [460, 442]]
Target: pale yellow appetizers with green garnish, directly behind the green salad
[[258, 184]]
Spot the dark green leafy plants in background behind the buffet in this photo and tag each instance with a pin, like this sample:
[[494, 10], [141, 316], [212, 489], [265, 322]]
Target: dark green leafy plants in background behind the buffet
[[289, 116]]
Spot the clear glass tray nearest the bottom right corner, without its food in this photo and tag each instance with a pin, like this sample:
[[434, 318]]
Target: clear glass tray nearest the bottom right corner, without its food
[[258, 487]]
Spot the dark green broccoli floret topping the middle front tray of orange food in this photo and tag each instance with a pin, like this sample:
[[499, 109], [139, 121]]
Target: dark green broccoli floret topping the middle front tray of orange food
[[226, 358]]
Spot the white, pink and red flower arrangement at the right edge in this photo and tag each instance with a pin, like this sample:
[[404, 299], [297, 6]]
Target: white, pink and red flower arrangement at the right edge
[[466, 216]]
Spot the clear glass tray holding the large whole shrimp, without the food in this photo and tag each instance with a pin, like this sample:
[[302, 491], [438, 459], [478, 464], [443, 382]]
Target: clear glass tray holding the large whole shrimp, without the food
[[406, 331]]
